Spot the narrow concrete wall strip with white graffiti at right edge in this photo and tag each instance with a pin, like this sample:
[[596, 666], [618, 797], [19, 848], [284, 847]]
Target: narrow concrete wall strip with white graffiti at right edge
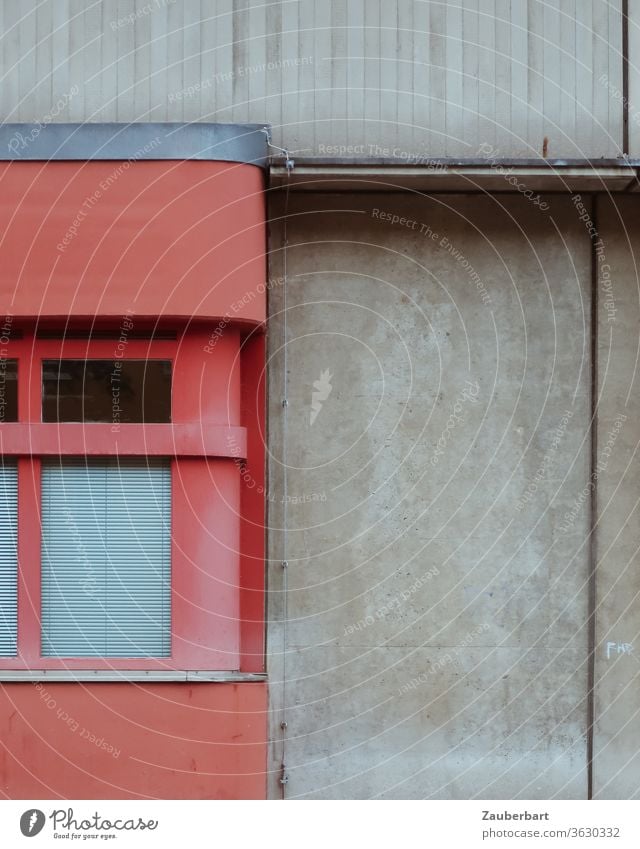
[[616, 476]]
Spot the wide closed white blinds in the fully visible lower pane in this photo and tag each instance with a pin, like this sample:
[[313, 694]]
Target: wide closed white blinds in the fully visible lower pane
[[106, 564]]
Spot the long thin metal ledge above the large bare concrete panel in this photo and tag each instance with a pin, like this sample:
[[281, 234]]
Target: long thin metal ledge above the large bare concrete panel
[[455, 175]]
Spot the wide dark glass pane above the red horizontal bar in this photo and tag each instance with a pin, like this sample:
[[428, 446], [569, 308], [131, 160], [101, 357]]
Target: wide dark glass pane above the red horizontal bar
[[114, 391]]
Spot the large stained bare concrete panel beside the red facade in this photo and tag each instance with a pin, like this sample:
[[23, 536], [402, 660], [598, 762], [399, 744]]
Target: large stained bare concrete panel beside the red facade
[[436, 643]]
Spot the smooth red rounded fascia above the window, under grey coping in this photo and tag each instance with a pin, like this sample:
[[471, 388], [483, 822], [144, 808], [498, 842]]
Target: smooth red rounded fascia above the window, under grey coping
[[164, 239]]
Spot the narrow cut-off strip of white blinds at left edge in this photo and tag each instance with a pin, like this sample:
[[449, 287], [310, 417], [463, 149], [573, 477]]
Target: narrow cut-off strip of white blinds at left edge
[[8, 559]]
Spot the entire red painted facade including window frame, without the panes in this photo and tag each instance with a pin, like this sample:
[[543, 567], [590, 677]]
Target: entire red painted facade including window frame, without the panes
[[180, 246]]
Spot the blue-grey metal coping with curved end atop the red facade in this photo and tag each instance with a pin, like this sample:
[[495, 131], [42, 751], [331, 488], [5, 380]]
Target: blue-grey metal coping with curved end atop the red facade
[[247, 143]]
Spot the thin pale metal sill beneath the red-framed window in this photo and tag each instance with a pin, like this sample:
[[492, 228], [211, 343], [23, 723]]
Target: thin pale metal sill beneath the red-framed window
[[125, 675]]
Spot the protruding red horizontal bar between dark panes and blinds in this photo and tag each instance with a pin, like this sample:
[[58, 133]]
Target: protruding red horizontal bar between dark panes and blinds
[[166, 440]]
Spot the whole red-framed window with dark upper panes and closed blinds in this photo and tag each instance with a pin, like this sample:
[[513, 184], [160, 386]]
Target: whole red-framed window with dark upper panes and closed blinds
[[121, 500]]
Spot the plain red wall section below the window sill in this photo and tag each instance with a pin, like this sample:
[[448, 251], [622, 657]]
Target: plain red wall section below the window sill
[[127, 741]]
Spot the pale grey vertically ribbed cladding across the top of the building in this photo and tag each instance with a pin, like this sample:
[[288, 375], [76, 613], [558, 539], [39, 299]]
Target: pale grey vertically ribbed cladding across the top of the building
[[386, 78]]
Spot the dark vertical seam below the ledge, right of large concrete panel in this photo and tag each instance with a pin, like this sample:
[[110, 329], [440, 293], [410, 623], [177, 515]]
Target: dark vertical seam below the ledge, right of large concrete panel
[[592, 600]]
